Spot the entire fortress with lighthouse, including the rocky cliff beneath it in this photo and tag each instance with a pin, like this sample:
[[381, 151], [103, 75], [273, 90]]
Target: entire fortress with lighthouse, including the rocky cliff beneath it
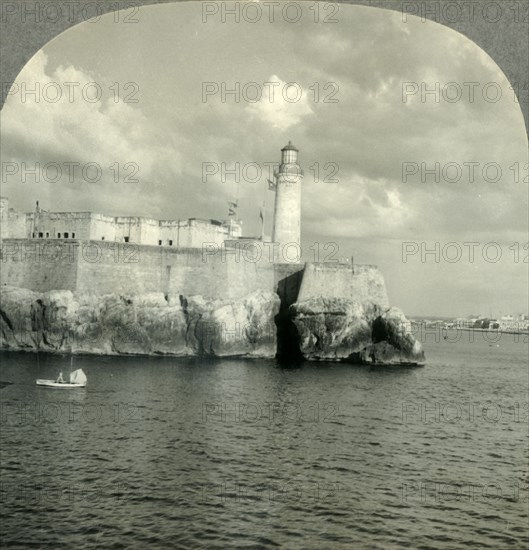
[[162, 279]]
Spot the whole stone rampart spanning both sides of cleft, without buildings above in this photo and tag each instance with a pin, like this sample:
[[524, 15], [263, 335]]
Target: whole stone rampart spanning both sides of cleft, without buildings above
[[105, 267]]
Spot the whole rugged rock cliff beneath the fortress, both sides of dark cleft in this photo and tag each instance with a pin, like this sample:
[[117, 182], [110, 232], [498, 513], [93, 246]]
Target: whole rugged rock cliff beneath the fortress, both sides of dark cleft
[[318, 328]]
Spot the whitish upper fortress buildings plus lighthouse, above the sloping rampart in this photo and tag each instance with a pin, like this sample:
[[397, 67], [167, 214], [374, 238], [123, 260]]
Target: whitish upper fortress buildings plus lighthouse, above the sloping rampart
[[189, 233]]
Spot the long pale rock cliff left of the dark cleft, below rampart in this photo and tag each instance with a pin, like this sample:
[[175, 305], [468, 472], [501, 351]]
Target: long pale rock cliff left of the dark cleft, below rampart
[[150, 323]]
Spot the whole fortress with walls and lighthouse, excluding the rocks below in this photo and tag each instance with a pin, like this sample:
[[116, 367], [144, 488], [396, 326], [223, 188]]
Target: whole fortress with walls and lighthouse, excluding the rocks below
[[97, 253]]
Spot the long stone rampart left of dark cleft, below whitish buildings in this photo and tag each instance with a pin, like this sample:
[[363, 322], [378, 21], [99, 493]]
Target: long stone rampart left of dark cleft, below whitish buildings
[[103, 267]]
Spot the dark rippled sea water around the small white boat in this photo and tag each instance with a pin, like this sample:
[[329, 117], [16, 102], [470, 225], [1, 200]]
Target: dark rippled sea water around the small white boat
[[160, 452]]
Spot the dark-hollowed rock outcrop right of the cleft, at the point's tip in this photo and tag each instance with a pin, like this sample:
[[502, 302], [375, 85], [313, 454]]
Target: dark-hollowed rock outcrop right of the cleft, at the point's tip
[[342, 329]]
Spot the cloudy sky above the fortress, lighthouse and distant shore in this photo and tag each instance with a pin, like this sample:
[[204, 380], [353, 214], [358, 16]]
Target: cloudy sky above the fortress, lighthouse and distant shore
[[367, 133]]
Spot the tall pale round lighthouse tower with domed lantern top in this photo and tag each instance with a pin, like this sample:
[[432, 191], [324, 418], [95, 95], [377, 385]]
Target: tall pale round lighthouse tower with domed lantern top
[[287, 208]]
